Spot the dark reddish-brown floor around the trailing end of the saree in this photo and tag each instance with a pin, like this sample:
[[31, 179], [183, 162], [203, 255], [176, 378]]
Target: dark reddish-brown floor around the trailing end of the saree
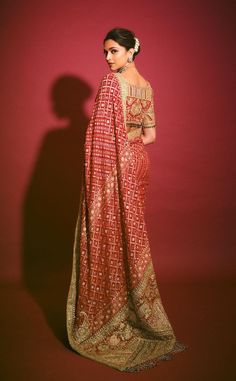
[[34, 344]]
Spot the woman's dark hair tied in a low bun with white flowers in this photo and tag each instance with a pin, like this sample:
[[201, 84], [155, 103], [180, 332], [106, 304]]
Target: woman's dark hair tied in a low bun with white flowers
[[123, 37]]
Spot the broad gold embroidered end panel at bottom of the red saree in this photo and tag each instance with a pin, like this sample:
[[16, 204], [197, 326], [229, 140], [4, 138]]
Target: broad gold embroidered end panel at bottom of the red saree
[[140, 331]]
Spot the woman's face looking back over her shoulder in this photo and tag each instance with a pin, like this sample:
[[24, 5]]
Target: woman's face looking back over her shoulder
[[115, 54]]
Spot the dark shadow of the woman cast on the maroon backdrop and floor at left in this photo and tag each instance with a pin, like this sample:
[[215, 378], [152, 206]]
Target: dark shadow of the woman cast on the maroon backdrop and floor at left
[[51, 202]]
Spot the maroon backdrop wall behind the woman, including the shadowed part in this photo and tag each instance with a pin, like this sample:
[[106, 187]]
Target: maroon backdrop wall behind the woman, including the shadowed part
[[52, 61]]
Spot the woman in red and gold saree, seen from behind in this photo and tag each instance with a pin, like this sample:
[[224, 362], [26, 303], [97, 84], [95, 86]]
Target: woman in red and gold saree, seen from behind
[[114, 311]]
